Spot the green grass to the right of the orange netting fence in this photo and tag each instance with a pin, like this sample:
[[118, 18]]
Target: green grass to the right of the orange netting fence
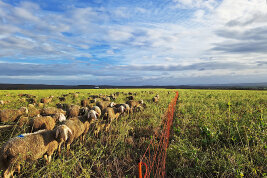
[[219, 134]]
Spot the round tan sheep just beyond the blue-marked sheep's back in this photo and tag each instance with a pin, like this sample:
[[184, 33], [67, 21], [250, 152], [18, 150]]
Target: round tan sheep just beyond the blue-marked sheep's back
[[45, 122]]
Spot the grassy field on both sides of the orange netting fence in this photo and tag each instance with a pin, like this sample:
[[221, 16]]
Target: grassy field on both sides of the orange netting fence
[[216, 133]]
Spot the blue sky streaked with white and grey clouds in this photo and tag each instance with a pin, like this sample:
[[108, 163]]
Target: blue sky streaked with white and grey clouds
[[133, 42]]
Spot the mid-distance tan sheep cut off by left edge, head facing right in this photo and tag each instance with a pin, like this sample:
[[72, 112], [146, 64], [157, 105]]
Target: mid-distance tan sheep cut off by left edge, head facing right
[[7, 115]]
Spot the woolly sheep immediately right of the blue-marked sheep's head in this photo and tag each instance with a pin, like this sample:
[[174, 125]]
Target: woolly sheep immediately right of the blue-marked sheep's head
[[78, 129]]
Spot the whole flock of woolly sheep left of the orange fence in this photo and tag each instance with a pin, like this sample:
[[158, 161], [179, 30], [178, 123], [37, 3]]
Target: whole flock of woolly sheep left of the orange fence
[[51, 127]]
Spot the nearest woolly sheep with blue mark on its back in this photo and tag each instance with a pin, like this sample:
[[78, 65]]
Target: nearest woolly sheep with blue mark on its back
[[30, 147]]
